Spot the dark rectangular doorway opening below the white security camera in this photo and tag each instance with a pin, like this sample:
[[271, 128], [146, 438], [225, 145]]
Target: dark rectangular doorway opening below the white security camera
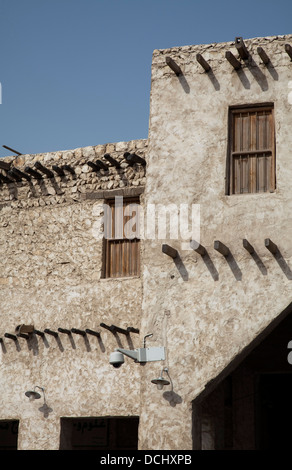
[[119, 433]]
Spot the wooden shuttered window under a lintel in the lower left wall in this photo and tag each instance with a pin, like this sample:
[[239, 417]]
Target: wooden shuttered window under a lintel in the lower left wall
[[121, 238]]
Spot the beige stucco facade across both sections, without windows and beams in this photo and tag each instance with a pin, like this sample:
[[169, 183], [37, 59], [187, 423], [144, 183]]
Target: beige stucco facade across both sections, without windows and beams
[[204, 310]]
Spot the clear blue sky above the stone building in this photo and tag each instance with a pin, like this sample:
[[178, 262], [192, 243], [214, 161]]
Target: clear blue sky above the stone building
[[77, 72]]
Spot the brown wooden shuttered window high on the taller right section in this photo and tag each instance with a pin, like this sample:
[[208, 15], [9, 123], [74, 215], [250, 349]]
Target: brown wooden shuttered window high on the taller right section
[[251, 163]]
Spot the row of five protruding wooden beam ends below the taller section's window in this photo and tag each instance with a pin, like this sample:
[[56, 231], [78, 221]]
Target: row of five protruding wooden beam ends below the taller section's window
[[220, 247]]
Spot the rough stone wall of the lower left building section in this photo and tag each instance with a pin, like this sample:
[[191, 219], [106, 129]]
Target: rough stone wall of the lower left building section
[[50, 276]]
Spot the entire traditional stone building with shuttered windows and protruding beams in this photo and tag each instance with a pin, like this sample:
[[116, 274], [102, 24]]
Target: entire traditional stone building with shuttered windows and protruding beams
[[219, 139]]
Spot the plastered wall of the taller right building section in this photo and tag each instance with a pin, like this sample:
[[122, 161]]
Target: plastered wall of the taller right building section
[[206, 311]]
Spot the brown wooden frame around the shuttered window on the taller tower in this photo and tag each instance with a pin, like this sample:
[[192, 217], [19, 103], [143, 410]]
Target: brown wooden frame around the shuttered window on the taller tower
[[236, 109]]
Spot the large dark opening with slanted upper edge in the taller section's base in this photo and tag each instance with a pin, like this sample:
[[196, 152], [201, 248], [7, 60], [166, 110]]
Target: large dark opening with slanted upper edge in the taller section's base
[[251, 408]]
